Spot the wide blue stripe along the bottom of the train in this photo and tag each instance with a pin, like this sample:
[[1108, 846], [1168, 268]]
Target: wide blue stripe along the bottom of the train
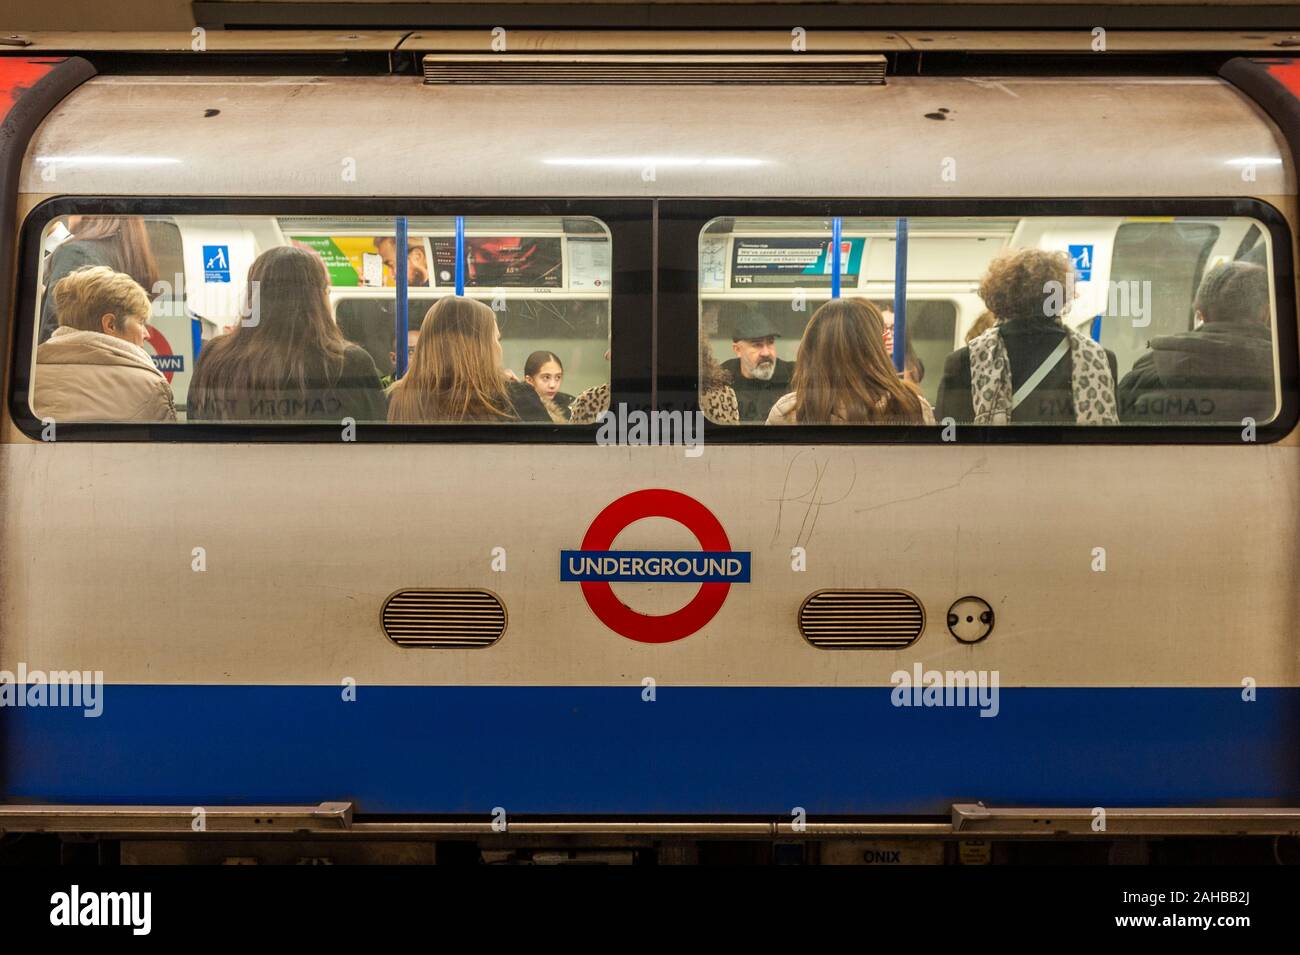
[[695, 750]]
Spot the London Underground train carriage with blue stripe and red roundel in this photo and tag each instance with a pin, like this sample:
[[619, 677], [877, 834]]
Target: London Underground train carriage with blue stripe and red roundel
[[629, 639]]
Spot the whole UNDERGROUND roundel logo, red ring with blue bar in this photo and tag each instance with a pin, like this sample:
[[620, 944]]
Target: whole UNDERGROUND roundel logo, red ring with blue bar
[[716, 567]]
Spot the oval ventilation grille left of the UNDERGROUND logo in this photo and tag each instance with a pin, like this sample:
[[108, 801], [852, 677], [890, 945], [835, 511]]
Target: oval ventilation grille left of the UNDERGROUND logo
[[444, 619]]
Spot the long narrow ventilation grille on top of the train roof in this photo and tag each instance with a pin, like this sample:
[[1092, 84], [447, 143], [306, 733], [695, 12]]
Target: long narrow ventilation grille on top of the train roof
[[655, 70]]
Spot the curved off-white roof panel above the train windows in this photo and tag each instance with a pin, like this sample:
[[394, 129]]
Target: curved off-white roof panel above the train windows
[[956, 137]]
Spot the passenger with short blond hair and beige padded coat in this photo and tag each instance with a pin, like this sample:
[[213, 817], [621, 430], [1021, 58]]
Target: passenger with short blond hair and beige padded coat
[[94, 368]]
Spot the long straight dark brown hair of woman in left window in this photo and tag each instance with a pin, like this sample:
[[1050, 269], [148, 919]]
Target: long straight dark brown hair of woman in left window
[[289, 344]]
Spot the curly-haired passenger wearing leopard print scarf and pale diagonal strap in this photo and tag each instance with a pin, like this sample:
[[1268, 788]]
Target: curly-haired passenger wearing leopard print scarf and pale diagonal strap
[[1030, 367]]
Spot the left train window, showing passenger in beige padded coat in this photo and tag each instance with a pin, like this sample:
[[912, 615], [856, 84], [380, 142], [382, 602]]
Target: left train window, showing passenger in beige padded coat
[[293, 319]]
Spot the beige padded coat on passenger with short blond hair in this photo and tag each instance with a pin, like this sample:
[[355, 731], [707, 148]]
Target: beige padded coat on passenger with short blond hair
[[88, 376]]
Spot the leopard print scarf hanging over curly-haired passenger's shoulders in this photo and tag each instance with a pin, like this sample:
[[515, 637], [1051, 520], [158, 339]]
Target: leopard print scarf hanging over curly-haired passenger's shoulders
[[1093, 389]]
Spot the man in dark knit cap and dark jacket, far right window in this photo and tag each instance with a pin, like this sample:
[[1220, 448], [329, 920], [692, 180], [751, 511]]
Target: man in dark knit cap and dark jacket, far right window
[[1223, 371]]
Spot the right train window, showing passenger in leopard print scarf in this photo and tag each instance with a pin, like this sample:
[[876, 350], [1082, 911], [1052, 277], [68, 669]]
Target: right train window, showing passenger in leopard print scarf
[[1028, 320]]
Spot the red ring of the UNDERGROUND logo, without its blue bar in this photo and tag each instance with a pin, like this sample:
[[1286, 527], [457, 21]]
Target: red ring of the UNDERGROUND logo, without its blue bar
[[643, 627]]
